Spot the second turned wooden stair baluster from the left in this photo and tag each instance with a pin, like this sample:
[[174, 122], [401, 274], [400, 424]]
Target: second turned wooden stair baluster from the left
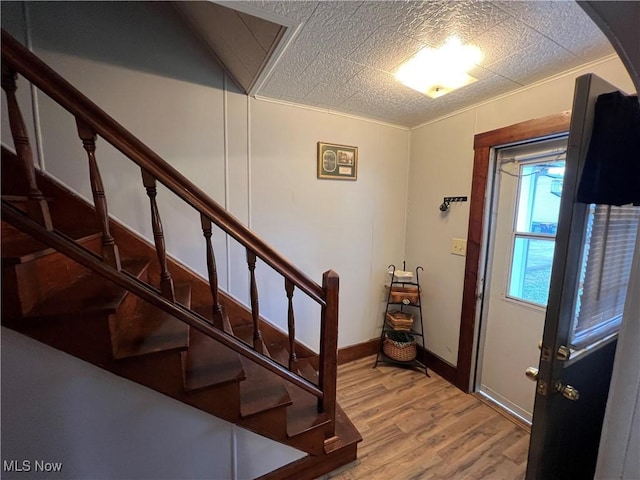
[[110, 252]]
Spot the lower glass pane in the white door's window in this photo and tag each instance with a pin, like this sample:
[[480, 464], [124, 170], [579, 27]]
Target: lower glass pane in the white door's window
[[531, 269]]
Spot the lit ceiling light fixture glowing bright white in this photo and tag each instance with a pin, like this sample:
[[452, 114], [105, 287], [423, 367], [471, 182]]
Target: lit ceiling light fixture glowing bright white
[[436, 72]]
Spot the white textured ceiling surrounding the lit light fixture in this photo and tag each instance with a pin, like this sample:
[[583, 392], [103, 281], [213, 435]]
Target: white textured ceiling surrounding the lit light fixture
[[346, 52]]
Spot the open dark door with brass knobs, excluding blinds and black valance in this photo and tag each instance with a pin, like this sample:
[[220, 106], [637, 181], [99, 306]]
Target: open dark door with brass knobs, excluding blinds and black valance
[[565, 432]]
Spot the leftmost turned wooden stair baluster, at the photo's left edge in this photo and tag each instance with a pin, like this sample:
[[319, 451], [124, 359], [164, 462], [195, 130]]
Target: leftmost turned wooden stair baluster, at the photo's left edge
[[37, 207]]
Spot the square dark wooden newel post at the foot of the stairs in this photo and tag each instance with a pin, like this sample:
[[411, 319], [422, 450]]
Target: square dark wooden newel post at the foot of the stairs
[[328, 362]]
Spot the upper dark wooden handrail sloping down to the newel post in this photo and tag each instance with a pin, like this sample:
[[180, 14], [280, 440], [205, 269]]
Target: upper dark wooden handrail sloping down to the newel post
[[61, 91]]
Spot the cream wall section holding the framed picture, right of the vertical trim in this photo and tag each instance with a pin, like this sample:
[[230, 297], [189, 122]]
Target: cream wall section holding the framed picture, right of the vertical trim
[[355, 228]]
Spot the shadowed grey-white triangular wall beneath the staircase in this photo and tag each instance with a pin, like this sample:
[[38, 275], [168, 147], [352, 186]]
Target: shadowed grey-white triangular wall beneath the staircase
[[56, 408]]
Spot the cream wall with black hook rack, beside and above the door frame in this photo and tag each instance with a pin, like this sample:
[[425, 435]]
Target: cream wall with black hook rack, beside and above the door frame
[[442, 164]]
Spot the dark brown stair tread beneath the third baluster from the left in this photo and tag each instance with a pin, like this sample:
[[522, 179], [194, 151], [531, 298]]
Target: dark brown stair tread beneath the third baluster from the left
[[149, 329]]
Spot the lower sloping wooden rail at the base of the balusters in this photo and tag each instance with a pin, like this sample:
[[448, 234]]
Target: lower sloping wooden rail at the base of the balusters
[[127, 281]]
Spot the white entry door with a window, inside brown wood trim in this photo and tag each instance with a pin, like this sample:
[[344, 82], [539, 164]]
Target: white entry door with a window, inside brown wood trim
[[525, 206]]
